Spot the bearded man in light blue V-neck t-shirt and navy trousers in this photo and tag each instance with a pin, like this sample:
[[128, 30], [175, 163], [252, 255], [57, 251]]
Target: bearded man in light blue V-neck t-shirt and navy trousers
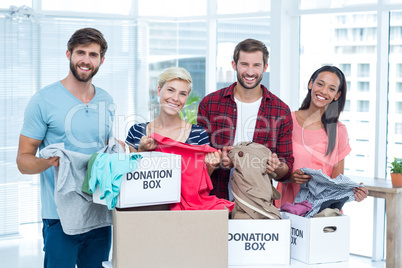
[[80, 115]]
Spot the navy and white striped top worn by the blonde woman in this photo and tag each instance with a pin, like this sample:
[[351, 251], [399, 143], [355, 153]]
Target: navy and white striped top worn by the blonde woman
[[198, 135]]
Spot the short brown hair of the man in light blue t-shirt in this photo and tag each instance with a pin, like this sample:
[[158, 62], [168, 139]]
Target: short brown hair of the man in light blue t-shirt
[[87, 36]]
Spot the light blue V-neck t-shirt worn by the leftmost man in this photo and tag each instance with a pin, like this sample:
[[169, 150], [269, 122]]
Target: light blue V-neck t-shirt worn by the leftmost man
[[54, 115]]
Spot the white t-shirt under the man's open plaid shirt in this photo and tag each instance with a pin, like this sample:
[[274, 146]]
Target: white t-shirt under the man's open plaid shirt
[[247, 113]]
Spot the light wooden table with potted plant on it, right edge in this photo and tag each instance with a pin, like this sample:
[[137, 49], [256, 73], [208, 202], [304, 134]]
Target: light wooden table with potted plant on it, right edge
[[393, 208]]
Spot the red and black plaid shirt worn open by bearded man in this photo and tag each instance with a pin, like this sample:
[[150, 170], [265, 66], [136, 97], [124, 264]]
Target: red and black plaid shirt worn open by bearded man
[[218, 115]]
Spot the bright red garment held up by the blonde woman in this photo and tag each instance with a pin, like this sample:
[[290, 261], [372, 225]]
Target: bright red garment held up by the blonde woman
[[195, 181]]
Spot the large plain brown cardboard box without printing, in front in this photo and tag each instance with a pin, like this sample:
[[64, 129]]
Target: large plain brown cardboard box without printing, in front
[[178, 239]]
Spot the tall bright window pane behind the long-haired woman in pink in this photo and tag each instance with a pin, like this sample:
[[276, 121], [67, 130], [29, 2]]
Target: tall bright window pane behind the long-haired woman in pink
[[342, 40]]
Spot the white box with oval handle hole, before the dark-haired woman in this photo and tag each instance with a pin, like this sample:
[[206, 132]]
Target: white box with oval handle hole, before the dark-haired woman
[[311, 244]]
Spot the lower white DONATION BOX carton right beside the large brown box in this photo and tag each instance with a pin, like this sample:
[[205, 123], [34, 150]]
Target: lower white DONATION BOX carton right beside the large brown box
[[259, 242]]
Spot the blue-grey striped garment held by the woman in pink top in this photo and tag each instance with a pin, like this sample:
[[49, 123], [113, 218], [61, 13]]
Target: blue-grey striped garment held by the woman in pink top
[[323, 189]]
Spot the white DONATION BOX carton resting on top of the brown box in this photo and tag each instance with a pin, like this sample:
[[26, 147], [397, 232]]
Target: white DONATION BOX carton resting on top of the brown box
[[157, 180]]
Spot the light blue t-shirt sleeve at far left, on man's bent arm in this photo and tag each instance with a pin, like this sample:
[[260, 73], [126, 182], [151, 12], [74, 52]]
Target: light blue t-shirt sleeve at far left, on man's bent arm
[[35, 118]]
